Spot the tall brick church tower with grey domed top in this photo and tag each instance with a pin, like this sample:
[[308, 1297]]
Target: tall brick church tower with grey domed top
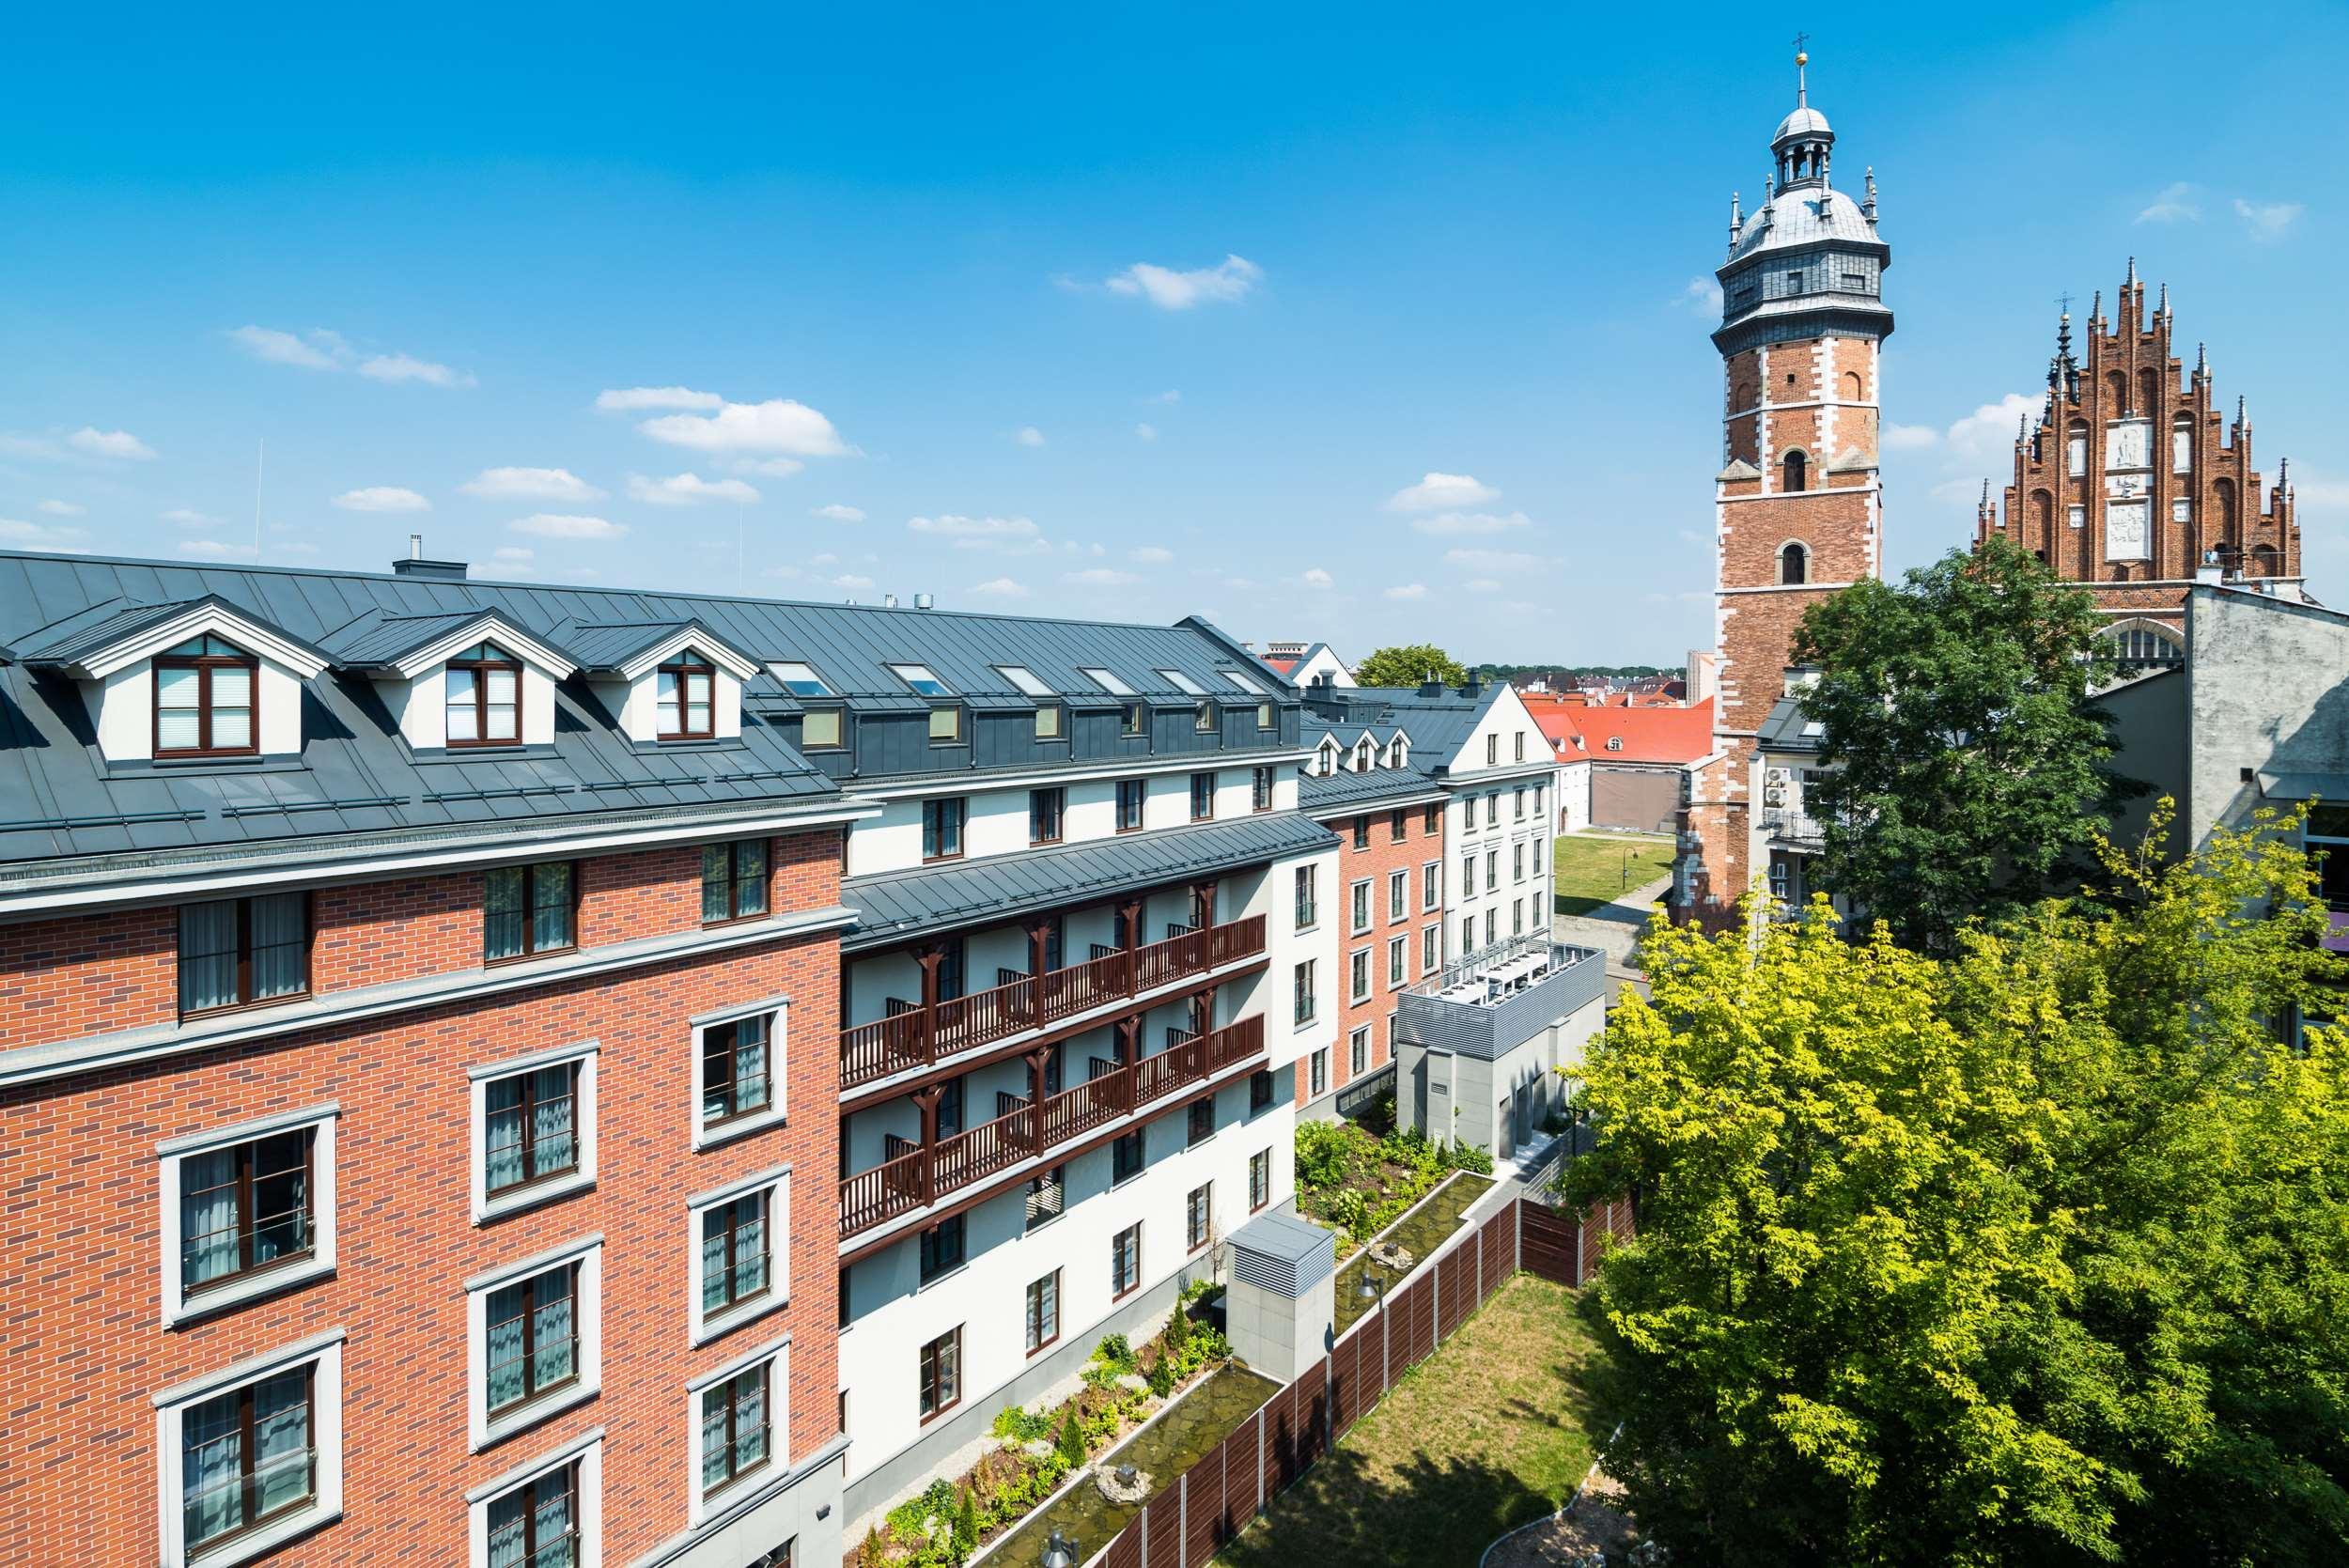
[[1798, 503]]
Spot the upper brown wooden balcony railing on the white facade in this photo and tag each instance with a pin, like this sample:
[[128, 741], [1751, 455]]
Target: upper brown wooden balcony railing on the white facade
[[927, 1036]]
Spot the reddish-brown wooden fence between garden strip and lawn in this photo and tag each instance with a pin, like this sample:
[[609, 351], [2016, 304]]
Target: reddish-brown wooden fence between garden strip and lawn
[[1220, 1496]]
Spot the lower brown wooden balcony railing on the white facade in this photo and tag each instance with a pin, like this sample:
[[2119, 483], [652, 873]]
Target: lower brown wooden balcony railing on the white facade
[[915, 1180]]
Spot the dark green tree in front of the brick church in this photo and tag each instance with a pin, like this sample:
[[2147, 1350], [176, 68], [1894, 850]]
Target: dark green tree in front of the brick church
[[1963, 748]]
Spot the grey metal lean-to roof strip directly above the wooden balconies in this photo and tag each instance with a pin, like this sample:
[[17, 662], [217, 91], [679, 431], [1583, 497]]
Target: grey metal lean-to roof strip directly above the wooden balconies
[[929, 900]]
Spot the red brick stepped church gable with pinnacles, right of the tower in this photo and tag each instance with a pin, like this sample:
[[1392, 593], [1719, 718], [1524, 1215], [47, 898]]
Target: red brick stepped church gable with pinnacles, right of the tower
[[2136, 482]]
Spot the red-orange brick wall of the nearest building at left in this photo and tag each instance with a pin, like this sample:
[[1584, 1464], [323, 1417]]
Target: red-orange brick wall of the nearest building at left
[[81, 1255]]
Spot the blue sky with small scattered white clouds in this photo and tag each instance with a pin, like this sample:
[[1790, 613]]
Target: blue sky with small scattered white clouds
[[1096, 311]]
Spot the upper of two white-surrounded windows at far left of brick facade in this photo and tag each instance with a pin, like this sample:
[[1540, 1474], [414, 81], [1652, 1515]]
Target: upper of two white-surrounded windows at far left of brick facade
[[245, 1210]]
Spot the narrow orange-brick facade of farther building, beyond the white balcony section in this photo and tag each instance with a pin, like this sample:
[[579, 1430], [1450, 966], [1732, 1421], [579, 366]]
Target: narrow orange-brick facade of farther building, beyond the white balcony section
[[1413, 853]]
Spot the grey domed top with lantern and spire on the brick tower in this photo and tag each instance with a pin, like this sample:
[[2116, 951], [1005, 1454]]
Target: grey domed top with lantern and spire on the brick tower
[[1810, 264]]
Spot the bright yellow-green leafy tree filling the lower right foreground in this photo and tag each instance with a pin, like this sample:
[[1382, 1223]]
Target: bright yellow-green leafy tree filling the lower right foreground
[[2038, 1255]]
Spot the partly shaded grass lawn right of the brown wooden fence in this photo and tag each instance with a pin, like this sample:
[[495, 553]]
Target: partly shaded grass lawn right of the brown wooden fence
[[1490, 1433]]
